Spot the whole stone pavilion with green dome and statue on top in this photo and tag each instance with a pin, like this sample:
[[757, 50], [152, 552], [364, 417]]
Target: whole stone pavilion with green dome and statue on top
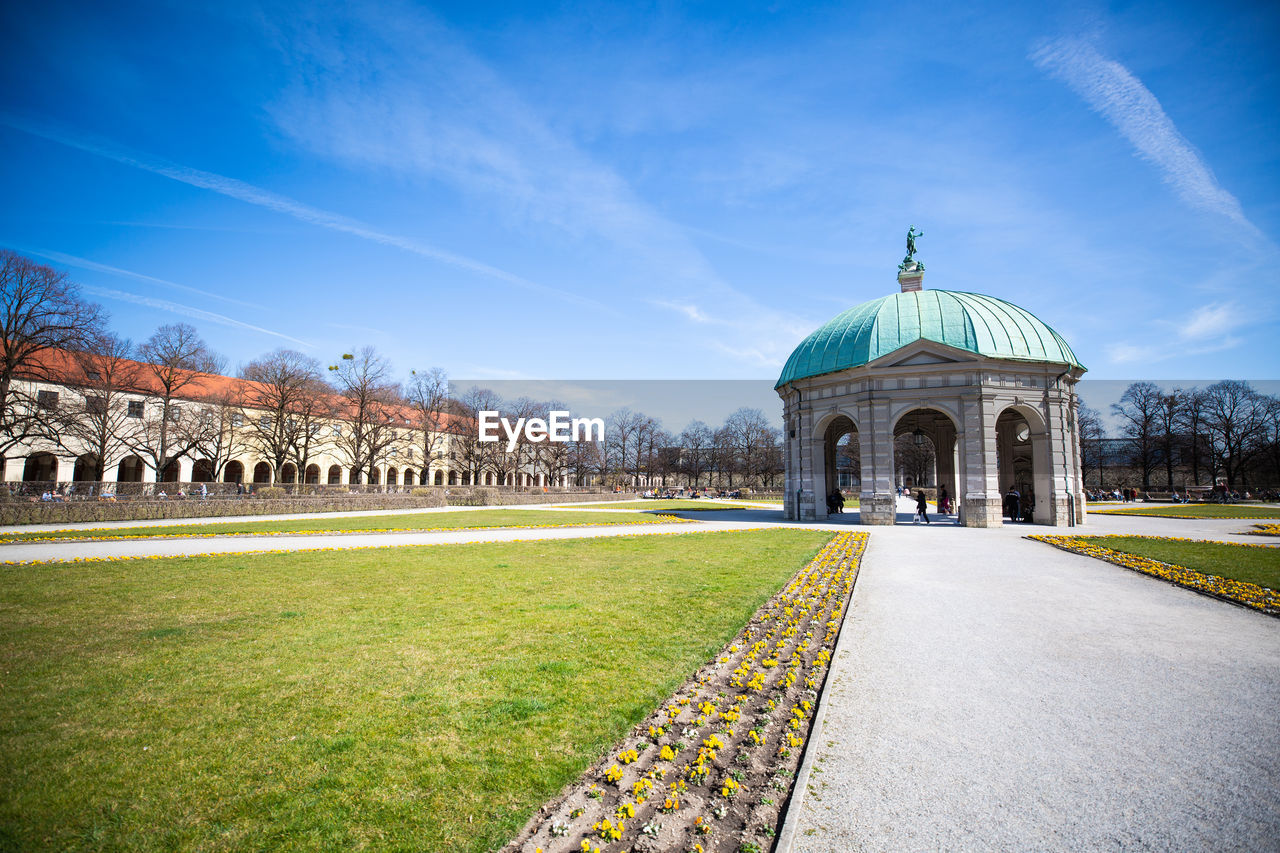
[[986, 384]]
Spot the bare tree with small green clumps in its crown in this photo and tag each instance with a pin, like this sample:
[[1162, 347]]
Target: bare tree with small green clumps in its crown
[[371, 409]]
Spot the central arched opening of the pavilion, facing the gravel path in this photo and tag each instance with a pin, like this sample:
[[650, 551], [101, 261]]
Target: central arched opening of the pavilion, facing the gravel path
[[926, 458]]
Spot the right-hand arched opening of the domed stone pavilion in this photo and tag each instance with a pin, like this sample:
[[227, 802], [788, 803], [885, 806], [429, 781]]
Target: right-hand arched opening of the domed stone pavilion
[[1022, 467]]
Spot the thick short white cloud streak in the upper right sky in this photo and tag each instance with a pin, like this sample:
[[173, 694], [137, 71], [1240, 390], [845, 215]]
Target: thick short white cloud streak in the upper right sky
[[1122, 99]]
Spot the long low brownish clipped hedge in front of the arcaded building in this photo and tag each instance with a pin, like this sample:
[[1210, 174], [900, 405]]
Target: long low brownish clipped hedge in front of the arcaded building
[[25, 512]]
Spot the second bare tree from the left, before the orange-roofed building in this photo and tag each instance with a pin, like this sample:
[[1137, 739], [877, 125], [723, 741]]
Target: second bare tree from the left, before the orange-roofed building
[[107, 375]]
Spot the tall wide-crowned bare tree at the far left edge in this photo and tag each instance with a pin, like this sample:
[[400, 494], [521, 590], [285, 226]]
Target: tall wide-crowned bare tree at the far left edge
[[42, 313]]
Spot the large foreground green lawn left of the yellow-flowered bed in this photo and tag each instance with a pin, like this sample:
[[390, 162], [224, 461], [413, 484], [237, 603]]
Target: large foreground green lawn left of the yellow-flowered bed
[[392, 699]]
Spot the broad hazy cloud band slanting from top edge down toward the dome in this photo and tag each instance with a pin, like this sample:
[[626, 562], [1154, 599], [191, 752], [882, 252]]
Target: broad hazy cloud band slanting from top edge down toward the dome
[[397, 90]]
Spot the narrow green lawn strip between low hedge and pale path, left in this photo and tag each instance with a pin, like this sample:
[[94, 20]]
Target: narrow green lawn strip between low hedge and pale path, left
[[419, 522]]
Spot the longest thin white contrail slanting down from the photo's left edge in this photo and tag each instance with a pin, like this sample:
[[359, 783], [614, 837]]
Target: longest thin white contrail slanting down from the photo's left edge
[[260, 198]]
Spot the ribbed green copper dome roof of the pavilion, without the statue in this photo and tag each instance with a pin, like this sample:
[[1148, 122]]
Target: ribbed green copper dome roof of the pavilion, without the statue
[[972, 322]]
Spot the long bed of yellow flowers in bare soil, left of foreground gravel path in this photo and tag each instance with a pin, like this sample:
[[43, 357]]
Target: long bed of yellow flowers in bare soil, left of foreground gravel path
[[712, 769]]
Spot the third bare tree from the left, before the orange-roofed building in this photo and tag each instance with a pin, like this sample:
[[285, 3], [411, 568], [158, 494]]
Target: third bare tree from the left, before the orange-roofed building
[[176, 366]]
